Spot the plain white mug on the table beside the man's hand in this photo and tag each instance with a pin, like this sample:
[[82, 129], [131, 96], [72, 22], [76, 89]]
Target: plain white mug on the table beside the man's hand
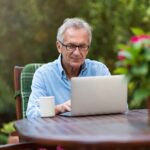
[[47, 106]]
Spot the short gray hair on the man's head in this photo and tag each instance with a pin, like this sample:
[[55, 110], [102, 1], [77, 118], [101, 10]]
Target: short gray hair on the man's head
[[75, 23]]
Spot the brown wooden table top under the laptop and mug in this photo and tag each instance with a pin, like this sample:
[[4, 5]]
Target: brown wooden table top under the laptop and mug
[[130, 128]]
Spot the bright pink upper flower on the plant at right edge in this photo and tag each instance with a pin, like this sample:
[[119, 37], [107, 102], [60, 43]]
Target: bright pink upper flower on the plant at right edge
[[139, 38]]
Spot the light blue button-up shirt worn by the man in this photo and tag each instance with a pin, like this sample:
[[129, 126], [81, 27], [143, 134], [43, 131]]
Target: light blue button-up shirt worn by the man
[[51, 80]]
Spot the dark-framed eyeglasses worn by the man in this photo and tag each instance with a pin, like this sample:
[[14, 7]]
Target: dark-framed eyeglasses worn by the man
[[72, 47]]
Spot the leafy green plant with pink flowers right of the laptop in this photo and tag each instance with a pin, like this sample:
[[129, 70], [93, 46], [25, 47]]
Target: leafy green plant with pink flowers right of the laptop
[[134, 62]]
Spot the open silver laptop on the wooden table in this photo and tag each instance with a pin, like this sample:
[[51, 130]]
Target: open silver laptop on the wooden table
[[98, 95]]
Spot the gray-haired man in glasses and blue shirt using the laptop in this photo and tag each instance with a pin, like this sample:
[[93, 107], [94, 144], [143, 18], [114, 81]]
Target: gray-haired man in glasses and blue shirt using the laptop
[[53, 79]]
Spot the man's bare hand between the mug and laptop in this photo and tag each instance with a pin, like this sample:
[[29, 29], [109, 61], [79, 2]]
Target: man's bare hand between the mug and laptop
[[63, 107]]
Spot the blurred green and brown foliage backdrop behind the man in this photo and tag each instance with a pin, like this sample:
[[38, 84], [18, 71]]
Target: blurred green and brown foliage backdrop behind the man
[[28, 34]]
